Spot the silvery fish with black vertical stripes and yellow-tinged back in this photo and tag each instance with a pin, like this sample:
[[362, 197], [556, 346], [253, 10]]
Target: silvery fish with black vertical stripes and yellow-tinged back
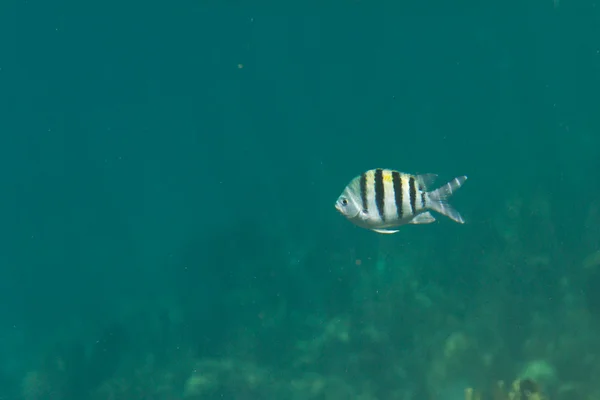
[[380, 199]]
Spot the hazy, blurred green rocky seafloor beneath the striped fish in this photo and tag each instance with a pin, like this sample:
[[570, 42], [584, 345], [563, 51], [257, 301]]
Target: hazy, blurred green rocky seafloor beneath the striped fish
[[321, 320]]
